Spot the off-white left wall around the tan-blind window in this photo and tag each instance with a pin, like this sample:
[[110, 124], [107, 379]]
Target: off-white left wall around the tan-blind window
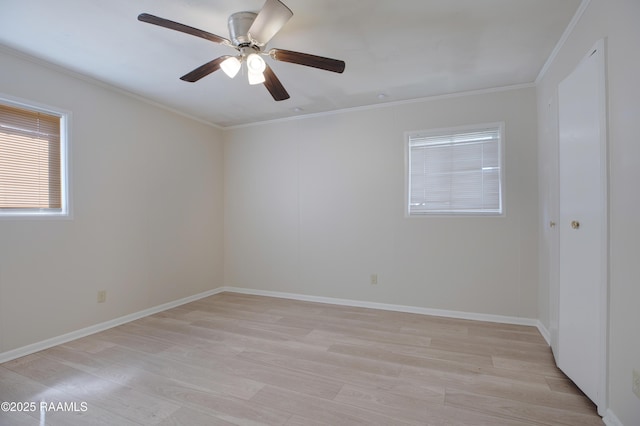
[[147, 222]]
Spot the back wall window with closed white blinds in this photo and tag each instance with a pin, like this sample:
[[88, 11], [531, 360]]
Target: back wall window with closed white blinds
[[455, 171]]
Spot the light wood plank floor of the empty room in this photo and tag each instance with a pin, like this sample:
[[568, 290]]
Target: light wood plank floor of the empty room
[[234, 359]]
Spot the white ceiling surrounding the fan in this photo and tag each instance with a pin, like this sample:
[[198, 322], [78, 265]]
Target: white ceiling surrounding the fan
[[402, 49]]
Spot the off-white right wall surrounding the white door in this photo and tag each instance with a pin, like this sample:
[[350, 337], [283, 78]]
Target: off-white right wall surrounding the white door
[[617, 20]]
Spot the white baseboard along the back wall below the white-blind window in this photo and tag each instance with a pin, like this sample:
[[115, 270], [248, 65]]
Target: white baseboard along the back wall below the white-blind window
[[390, 307]]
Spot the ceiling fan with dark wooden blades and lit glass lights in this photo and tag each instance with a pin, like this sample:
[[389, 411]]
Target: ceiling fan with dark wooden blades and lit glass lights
[[249, 33]]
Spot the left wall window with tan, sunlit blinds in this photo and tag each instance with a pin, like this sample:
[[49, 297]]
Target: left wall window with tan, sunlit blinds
[[33, 178]]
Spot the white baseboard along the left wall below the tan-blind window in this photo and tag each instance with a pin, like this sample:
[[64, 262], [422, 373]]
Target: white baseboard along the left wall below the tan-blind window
[[45, 344]]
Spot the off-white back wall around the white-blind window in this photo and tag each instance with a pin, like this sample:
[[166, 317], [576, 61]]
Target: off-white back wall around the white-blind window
[[314, 206]]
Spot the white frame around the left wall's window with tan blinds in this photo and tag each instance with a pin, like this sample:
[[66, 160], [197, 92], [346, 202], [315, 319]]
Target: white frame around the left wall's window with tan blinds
[[65, 212]]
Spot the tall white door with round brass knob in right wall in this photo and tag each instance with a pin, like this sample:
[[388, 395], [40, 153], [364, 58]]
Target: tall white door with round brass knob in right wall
[[582, 226]]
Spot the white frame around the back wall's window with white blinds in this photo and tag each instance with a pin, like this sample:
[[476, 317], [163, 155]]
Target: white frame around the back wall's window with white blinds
[[408, 135]]
